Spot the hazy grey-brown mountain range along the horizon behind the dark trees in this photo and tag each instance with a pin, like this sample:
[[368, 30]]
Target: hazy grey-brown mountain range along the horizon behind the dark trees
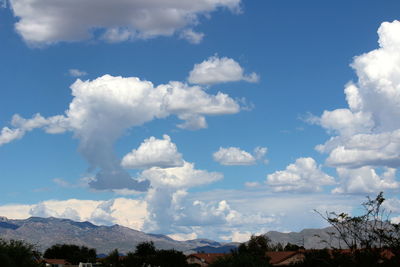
[[45, 232]]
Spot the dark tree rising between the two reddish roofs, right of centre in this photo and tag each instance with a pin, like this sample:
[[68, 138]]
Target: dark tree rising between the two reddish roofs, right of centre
[[250, 254]]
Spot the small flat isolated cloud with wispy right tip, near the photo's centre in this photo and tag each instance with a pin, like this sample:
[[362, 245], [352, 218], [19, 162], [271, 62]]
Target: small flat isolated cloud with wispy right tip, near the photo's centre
[[236, 156]]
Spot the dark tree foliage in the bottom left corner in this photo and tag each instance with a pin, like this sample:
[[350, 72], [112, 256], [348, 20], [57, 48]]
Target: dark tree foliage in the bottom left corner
[[15, 253]]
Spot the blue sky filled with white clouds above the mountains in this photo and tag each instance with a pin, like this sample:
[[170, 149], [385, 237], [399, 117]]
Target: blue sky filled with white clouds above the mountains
[[283, 72]]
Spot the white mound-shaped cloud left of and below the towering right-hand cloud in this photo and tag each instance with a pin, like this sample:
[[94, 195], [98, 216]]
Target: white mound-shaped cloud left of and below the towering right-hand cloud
[[304, 175]]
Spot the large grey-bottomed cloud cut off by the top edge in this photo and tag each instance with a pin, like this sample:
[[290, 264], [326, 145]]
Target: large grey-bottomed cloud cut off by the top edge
[[46, 21]]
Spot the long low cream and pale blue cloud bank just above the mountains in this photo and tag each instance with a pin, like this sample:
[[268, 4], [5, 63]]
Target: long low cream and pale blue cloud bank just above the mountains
[[214, 214]]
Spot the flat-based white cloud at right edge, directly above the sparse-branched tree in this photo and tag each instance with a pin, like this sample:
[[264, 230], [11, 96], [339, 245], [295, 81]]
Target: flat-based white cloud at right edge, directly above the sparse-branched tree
[[366, 180]]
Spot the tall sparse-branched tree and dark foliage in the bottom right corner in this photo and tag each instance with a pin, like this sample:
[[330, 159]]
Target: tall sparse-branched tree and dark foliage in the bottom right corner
[[370, 239]]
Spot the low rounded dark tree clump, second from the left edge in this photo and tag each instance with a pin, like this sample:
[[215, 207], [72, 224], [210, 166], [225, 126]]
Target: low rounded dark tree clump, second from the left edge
[[72, 253]]
